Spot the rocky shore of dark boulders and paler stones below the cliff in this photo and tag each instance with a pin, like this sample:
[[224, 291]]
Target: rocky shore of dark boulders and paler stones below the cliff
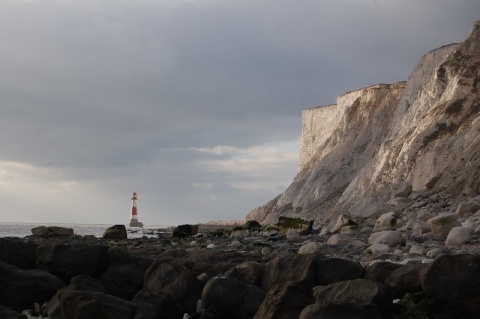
[[418, 260]]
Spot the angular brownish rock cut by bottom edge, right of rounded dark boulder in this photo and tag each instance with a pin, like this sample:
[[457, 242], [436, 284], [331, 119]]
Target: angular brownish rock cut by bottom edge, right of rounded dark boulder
[[285, 301]]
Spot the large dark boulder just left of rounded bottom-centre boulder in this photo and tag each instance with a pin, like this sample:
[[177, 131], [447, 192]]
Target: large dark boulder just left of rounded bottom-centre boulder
[[174, 280]]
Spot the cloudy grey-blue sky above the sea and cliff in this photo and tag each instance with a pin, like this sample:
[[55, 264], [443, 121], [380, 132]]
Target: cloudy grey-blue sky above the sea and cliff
[[193, 104]]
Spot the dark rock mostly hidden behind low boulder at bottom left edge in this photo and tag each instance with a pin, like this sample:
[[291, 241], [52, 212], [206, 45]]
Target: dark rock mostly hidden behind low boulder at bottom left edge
[[79, 283]]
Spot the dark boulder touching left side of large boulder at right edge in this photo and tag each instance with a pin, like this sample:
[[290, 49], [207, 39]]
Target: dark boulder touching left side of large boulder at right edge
[[405, 279]]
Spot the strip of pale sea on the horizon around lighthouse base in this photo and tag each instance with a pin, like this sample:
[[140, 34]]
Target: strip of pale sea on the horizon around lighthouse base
[[24, 229]]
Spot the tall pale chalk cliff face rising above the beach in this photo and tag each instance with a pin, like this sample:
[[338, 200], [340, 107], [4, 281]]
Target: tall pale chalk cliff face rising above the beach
[[425, 131]]
